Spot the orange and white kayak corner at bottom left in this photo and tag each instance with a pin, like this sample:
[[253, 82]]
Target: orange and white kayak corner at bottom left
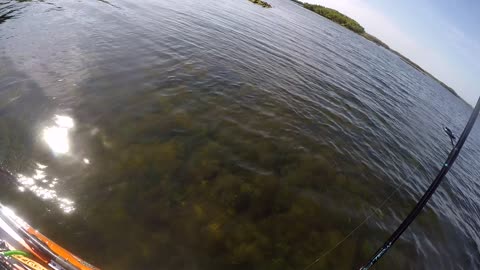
[[24, 248]]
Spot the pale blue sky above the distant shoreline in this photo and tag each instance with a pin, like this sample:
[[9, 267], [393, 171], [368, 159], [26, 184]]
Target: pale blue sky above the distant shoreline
[[442, 36]]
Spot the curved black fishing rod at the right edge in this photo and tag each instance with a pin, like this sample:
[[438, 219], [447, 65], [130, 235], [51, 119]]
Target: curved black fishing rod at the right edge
[[423, 201]]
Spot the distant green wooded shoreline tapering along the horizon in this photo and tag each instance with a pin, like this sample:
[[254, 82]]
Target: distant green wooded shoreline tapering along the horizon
[[355, 27]]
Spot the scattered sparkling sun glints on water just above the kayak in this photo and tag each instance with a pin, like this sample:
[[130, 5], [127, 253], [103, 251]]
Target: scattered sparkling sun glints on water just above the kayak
[[43, 187]]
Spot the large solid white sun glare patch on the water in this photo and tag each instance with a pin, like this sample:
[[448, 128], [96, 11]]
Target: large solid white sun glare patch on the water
[[57, 136]]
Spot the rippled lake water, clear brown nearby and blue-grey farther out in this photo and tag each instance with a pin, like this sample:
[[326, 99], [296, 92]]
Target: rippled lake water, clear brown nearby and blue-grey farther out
[[220, 135]]
